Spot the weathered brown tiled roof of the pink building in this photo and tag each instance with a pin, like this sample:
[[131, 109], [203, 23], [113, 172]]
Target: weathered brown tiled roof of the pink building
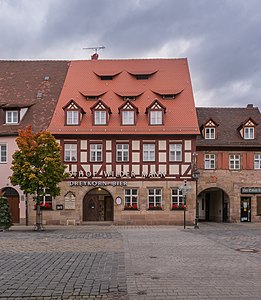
[[20, 82]]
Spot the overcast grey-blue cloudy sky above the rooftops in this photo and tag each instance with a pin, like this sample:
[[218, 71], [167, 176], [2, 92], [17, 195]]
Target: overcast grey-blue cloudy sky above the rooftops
[[220, 38]]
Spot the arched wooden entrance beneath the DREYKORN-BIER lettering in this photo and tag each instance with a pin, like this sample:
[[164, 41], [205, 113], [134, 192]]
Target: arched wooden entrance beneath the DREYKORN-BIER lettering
[[98, 205]]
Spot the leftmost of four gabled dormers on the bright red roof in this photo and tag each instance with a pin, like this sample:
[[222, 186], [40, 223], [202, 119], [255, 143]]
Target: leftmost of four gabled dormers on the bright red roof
[[73, 113]]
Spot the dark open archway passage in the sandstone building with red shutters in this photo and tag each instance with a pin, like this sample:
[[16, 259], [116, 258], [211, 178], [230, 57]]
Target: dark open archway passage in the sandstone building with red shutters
[[214, 205]]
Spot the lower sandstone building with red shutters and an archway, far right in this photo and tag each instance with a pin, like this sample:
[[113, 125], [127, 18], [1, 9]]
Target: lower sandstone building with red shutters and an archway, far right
[[229, 159]]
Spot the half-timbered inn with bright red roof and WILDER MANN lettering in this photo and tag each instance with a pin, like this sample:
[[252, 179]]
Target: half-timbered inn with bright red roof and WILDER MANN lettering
[[128, 132]]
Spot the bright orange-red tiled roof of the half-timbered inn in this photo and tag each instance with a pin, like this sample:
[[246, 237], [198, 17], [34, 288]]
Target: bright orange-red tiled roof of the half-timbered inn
[[171, 75]]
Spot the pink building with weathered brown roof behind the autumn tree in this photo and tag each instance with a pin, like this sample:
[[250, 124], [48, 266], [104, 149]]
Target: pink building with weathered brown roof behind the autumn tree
[[29, 91]]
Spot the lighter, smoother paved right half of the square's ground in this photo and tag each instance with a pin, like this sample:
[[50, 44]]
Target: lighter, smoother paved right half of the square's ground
[[217, 261]]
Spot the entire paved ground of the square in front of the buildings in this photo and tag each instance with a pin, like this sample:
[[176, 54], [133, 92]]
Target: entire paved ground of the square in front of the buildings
[[218, 261]]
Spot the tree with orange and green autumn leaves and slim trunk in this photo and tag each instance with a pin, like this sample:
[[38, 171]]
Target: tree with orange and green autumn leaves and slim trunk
[[37, 166]]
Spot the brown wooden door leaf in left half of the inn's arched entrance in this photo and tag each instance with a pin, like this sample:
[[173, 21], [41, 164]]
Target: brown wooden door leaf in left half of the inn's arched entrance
[[91, 208]]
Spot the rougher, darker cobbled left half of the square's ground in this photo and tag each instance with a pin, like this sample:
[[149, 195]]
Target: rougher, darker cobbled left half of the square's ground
[[62, 263]]
